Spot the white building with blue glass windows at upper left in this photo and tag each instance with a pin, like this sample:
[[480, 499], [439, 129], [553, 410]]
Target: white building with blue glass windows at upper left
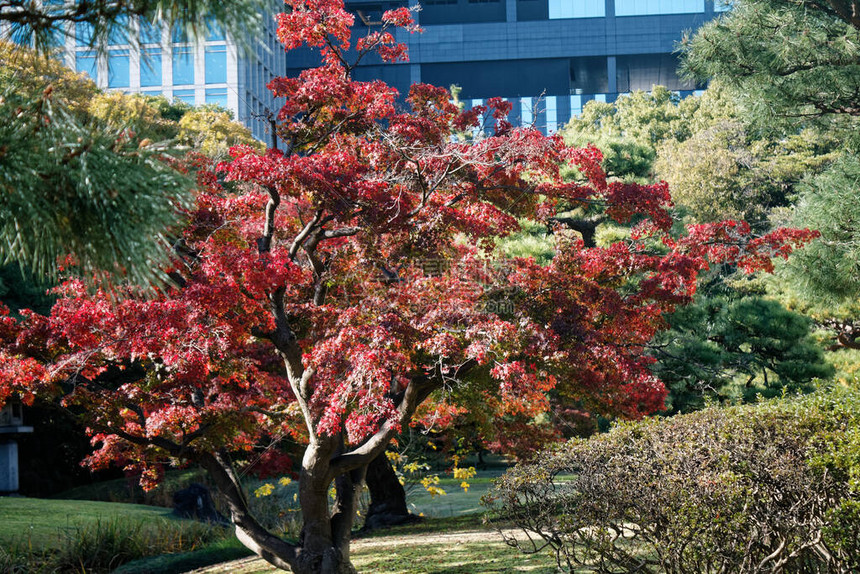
[[212, 70]]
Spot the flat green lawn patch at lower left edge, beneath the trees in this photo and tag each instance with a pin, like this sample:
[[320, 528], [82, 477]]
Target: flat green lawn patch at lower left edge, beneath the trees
[[41, 523]]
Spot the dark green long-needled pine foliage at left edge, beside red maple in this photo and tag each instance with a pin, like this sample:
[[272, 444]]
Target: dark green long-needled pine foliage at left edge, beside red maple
[[80, 187]]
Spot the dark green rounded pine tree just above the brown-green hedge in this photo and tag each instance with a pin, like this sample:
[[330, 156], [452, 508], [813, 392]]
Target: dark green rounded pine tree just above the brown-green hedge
[[727, 348]]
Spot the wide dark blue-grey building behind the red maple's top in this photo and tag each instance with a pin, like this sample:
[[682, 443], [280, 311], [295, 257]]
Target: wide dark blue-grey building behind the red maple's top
[[548, 57]]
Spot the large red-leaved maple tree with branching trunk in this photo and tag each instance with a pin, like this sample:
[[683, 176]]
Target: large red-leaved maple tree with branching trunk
[[346, 287]]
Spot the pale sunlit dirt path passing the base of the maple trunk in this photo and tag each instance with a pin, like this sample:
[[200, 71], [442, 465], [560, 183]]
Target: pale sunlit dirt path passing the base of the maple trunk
[[255, 565]]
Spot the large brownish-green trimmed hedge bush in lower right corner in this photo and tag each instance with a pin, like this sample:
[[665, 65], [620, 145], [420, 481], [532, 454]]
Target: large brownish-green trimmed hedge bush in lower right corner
[[770, 487]]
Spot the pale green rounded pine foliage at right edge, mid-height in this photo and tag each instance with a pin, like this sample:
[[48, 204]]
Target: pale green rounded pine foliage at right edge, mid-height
[[826, 272]]
